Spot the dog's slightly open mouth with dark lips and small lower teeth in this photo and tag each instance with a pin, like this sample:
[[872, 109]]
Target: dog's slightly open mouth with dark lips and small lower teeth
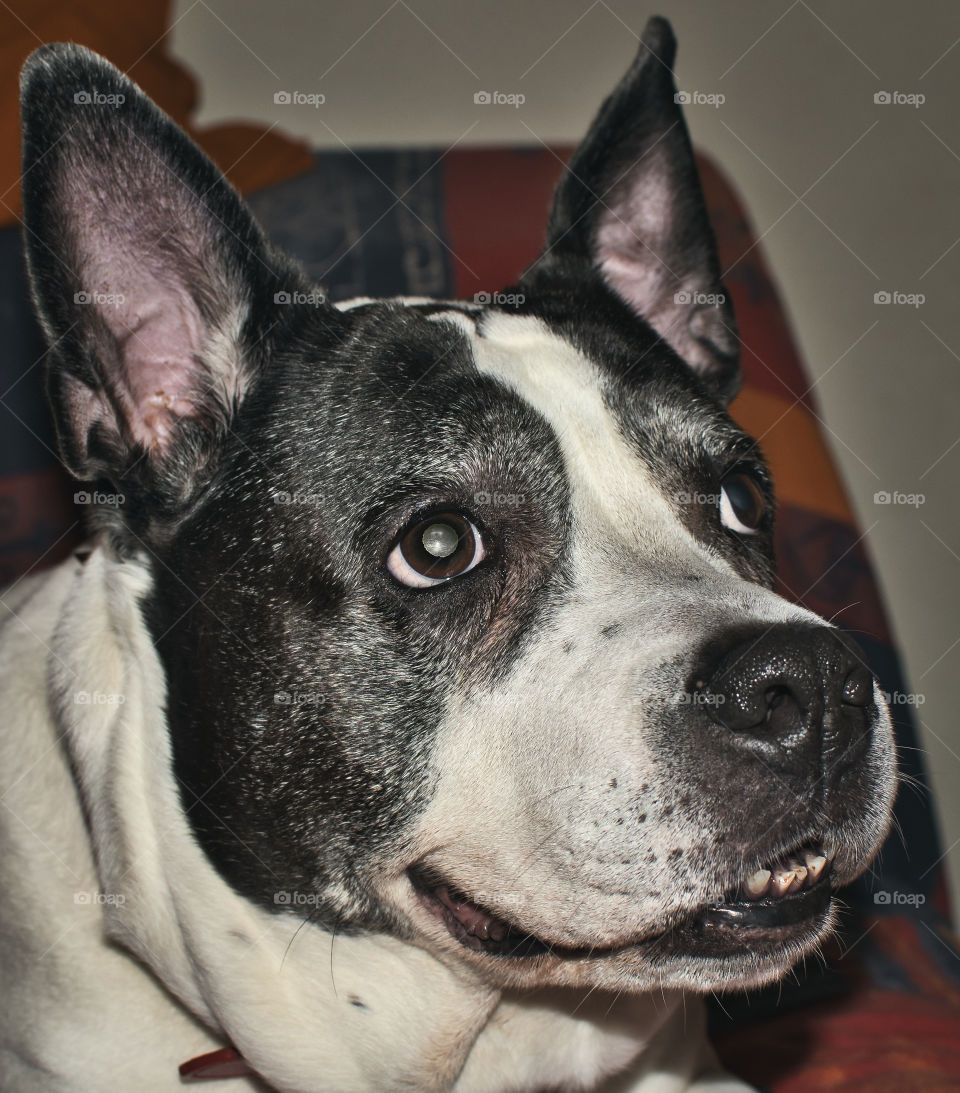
[[771, 906]]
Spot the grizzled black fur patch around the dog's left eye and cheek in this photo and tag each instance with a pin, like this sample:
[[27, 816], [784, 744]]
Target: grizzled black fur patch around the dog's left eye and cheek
[[307, 686]]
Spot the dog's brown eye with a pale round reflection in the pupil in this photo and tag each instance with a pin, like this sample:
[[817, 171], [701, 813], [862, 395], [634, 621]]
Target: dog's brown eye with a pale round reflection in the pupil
[[435, 550]]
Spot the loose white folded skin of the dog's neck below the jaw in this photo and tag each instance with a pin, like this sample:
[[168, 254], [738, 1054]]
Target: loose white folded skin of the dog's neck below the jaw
[[287, 996]]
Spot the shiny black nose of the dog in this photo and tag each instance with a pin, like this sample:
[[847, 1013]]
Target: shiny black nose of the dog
[[801, 698]]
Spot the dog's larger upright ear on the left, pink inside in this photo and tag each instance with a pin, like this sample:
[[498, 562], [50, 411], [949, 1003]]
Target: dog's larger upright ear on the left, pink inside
[[154, 285]]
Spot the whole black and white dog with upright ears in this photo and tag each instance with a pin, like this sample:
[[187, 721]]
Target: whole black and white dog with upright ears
[[420, 715]]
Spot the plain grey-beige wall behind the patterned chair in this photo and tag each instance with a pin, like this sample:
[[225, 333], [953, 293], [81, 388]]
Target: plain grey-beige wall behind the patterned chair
[[851, 198]]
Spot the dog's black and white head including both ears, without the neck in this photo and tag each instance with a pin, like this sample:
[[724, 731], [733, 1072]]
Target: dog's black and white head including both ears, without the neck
[[465, 612]]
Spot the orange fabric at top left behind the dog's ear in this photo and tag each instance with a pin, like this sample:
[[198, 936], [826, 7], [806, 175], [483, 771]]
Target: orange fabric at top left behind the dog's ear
[[134, 38]]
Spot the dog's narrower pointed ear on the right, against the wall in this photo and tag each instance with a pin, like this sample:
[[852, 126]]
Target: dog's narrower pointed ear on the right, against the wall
[[630, 205]]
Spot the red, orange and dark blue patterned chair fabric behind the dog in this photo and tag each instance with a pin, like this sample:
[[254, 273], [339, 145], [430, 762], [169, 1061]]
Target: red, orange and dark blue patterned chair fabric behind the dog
[[885, 1014]]
